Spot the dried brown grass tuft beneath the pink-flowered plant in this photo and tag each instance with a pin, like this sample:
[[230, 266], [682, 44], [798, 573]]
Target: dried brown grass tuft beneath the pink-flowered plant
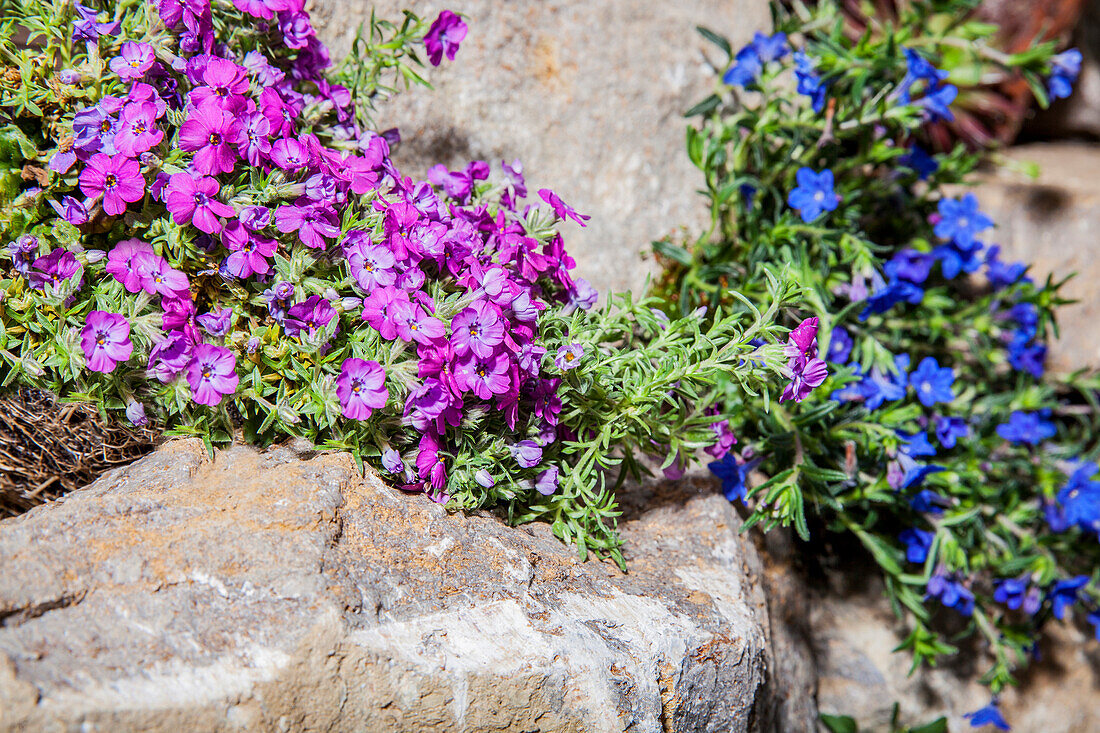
[[48, 448]]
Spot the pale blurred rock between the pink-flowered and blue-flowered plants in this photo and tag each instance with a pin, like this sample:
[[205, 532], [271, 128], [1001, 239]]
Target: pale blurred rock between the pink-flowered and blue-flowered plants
[[588, 95]]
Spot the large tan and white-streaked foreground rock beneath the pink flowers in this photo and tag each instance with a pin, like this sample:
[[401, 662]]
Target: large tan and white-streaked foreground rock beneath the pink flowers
[[281, 592]]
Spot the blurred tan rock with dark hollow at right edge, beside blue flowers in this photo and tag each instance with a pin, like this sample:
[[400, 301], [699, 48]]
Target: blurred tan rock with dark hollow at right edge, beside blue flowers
[[1054, 223]]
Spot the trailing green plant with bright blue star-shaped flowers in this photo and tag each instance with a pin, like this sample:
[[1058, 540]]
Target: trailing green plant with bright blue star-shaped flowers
[[937, 440]]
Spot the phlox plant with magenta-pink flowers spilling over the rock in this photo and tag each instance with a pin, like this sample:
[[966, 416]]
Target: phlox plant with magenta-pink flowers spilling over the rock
[[203, 233]]
